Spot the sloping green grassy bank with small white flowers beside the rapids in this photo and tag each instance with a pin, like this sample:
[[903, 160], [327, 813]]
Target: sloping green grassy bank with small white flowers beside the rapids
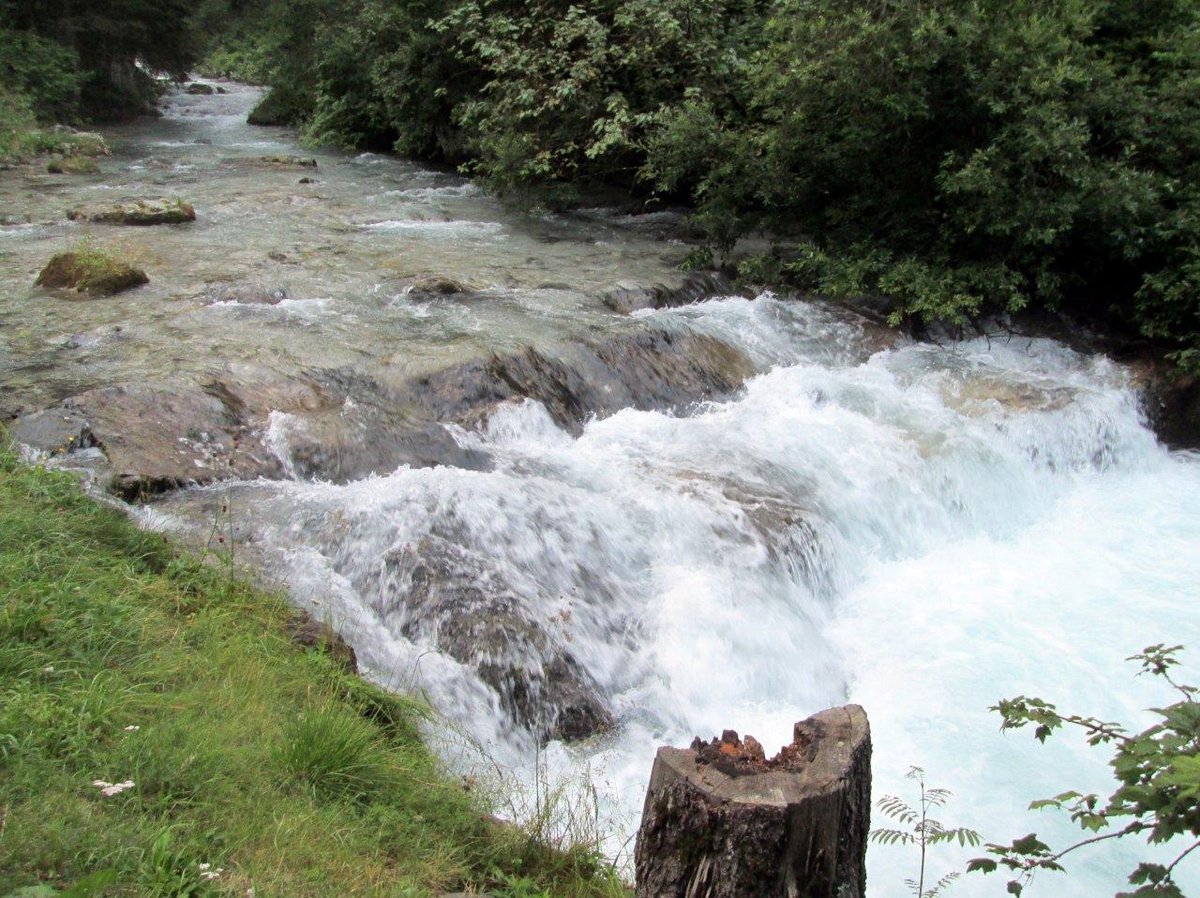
[[123, 658]]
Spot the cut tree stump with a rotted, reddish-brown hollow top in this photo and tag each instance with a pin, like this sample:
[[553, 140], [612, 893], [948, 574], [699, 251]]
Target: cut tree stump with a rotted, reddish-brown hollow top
[[723, 822]]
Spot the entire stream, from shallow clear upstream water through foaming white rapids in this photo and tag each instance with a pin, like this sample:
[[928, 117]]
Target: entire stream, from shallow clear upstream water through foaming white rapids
[[919, 529]]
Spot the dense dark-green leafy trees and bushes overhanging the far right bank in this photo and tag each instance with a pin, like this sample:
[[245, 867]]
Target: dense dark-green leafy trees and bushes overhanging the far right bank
[[955, 155]]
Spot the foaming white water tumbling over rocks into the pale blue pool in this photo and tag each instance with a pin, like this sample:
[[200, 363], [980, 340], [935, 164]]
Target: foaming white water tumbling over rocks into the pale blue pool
[[922, 530]]
